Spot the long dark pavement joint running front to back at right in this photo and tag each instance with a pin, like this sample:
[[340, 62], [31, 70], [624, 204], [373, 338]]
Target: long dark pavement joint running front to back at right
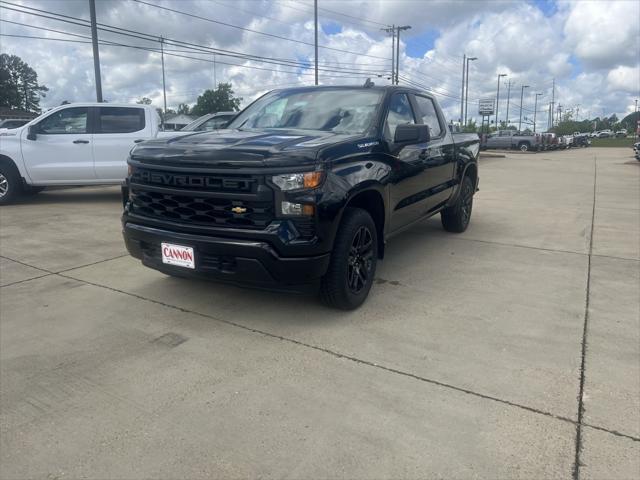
[[578, 448]]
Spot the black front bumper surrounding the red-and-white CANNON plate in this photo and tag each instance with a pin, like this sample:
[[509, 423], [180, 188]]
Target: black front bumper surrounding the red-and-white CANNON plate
[[242, 262]]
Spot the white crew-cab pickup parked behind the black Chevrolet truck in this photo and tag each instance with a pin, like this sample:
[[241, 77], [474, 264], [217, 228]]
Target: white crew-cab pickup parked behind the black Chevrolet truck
[[74, 144]]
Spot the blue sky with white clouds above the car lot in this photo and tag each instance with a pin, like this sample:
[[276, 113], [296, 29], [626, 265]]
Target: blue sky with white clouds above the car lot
[[591, 48]]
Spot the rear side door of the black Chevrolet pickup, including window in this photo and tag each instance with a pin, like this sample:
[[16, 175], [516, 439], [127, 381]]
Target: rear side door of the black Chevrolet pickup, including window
[[438, 155]]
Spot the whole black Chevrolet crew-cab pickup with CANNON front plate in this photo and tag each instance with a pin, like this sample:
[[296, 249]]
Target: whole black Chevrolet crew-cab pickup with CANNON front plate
[[302, 189]]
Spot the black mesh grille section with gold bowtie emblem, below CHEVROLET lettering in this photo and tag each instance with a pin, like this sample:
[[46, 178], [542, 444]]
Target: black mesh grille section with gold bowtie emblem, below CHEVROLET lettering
[[191, 208]]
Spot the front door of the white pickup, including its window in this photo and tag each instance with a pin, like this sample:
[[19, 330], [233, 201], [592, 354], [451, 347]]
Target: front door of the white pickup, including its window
[[62, 151]]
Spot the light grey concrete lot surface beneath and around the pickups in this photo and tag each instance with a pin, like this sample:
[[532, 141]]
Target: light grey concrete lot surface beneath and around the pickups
[[467, 361]]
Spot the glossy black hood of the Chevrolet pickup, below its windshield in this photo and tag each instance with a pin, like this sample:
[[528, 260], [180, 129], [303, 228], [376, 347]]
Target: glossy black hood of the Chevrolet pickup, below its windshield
[[241, 148]]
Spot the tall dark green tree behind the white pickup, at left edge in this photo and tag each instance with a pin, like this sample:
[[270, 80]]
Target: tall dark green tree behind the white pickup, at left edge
[[19, 86]]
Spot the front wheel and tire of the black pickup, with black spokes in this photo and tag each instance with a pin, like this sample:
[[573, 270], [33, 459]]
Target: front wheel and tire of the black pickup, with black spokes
[[353, 262]]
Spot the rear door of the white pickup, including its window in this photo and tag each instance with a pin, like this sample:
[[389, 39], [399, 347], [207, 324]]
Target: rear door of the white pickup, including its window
[[117, 130]]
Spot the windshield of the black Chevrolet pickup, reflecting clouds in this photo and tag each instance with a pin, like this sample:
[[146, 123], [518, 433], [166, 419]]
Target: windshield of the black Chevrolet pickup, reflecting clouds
[[330, 110]]
